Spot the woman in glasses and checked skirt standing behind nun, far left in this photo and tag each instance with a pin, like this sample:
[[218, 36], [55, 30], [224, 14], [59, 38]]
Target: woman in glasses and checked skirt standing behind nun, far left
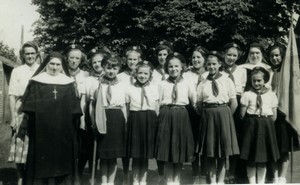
[[17, 85]]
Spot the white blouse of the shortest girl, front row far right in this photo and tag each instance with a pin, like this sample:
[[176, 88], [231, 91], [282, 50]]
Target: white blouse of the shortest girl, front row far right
[[269, 101]]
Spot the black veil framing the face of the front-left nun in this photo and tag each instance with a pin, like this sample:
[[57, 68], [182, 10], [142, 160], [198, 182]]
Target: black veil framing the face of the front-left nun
[[48, 58]]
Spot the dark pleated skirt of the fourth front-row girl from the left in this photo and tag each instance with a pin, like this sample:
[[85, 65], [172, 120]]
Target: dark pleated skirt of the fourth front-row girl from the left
[[217, 135]]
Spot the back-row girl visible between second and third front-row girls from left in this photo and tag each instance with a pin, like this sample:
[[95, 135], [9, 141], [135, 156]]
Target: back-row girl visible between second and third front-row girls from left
[[163, 49]]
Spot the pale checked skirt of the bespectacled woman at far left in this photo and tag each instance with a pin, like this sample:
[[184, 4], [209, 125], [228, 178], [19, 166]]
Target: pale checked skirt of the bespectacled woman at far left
[[19, 142]]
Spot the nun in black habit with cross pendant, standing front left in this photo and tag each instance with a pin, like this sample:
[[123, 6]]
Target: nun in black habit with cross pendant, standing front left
[[52, 106]]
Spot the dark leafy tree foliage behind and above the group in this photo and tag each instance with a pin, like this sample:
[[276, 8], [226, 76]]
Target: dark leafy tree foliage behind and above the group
[[119, 23]]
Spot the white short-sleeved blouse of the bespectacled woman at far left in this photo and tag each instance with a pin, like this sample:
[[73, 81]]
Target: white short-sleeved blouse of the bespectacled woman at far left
[[19, 79]]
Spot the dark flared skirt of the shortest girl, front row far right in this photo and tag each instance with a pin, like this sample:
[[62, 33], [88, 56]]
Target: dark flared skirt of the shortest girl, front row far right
[[259, 140]]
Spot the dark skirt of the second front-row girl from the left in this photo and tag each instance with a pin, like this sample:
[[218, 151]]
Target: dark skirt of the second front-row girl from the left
[[142, 126]]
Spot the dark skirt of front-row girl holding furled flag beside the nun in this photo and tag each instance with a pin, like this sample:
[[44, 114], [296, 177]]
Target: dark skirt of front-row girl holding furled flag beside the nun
[[113, 144]]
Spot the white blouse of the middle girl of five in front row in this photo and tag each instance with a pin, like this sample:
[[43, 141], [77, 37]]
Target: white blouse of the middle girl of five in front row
[[186, 92]]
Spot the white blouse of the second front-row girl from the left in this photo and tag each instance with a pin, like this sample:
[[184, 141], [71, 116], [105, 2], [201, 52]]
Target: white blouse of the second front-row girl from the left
[[133, 96]]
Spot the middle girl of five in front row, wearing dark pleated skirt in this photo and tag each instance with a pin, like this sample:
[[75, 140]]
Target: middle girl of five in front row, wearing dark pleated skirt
[[175, 144]]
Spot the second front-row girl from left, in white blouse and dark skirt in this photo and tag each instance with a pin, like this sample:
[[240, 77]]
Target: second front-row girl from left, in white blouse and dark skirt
[[142, 99]]
